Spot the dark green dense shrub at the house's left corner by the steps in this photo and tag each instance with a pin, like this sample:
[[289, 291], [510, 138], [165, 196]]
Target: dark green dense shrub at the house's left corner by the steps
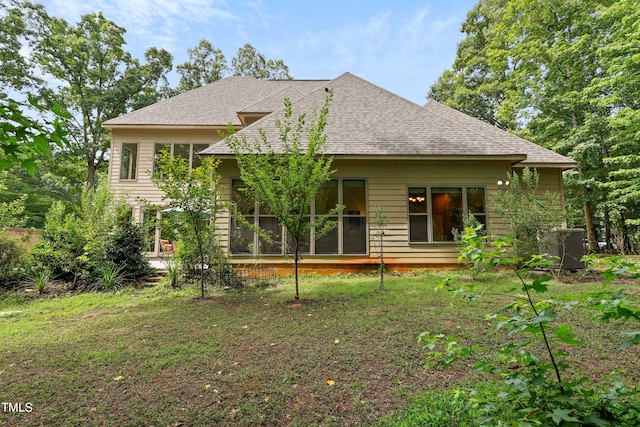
[[125, 248]]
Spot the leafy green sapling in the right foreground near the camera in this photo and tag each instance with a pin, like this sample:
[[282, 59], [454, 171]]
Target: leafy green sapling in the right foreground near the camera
[[538, 391]]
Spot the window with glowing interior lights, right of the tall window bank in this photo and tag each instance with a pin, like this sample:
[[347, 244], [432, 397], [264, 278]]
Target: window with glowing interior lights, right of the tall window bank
[[435, 211]]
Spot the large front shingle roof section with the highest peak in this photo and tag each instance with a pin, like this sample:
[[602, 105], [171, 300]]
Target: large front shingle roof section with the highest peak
[[366, 120]]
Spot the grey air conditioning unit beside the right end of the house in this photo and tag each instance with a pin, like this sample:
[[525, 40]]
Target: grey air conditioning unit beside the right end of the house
[[567, 245]]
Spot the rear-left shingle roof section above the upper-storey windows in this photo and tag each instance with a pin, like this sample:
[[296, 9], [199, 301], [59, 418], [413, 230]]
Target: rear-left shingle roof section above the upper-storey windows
[[216, 104]]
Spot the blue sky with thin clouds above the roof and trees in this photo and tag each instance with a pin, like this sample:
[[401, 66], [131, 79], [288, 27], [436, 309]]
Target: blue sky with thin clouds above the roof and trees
[[400, 45]]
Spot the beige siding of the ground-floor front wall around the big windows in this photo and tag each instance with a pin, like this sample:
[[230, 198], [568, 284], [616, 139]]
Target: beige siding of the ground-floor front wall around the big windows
[[387, 183]]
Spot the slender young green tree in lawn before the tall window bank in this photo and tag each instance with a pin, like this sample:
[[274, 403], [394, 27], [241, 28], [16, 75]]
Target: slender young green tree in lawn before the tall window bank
[[285, 177]]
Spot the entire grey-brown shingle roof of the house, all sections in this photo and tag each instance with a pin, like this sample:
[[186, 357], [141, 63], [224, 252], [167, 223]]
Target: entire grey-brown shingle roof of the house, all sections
[[364, 120]]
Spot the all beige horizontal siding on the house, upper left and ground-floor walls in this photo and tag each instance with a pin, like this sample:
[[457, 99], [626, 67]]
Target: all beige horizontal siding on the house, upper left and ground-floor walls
[[387, 186]]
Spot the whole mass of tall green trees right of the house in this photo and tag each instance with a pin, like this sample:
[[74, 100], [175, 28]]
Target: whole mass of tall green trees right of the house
[[564, 75]]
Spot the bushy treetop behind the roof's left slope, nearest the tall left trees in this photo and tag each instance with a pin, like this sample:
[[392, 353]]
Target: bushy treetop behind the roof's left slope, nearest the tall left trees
[[205, 65]]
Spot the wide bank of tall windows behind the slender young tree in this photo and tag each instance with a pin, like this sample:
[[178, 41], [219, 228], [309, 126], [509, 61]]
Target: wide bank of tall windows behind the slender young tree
[[348, 238]]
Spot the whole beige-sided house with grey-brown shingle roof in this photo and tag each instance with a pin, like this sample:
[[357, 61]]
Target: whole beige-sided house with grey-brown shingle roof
[[426, 166]]
